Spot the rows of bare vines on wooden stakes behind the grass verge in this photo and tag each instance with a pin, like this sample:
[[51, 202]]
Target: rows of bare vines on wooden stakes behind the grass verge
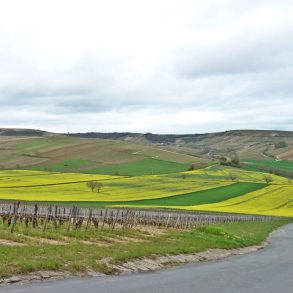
[[82, 218]]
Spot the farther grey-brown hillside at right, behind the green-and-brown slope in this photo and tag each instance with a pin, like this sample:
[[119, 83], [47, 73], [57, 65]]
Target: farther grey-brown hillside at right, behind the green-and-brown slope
[[248, 144]]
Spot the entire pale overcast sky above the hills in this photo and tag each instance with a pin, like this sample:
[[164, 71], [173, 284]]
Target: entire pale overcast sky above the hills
[[146, 66]]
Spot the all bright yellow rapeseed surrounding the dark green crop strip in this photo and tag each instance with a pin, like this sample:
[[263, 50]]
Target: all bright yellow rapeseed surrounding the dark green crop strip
[[276, 199]]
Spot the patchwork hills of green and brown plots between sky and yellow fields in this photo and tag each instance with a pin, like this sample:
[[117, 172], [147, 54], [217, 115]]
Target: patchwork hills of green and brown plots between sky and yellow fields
[[119, 153]]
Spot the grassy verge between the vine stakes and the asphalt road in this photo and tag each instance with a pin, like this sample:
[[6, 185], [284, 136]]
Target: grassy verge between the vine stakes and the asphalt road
[[85, 250]]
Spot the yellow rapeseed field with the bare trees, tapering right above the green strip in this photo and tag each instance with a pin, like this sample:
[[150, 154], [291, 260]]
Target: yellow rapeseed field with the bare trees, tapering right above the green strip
[[114, 188]]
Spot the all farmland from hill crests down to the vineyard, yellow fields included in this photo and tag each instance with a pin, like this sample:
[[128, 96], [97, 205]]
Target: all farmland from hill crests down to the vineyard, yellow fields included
[[140, 170]]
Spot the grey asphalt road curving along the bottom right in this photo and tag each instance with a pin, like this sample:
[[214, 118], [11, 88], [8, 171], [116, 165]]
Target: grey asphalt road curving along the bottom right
[[265, 271]]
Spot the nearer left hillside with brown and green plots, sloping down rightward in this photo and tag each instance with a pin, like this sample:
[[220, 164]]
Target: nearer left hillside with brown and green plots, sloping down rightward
[[70, 154]]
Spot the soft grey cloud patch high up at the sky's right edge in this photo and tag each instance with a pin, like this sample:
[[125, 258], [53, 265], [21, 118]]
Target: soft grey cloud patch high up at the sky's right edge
[[237, 57]]
